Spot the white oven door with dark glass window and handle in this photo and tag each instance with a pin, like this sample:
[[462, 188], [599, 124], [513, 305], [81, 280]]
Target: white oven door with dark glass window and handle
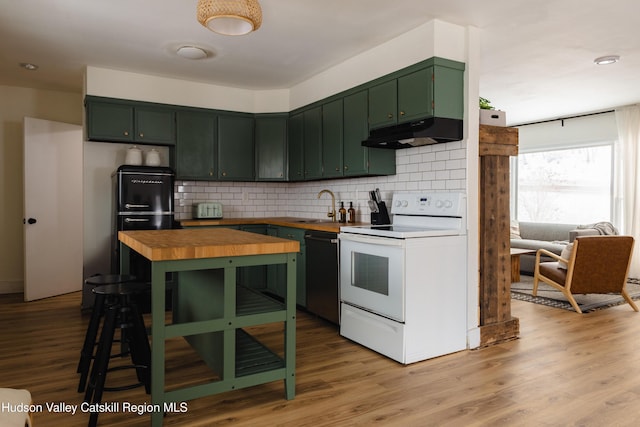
[[372, 274]]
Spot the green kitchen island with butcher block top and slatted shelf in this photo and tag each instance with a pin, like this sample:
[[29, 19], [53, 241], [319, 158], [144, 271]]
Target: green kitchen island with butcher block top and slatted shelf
[[210, 310]]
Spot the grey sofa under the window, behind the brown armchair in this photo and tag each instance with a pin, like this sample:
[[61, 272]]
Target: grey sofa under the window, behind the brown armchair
[[549, 236]]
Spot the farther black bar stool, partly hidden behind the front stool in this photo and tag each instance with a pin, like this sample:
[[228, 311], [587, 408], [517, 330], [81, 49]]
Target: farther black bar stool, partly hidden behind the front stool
[[90, 338]]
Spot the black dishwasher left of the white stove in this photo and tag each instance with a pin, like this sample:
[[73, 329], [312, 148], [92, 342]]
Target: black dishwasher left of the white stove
[[322, 274]]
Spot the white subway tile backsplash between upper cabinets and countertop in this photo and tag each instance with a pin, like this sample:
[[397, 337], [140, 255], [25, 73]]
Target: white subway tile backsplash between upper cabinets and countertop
[[438, 167]]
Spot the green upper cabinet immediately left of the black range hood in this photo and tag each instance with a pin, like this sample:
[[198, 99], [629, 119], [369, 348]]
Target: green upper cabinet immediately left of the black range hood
[[359, 160]]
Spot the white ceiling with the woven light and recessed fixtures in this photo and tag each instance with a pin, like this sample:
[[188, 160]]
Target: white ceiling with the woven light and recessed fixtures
[[537, 56]]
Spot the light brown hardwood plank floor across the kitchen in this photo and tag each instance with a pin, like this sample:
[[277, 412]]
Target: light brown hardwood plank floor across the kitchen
[[565, 369]]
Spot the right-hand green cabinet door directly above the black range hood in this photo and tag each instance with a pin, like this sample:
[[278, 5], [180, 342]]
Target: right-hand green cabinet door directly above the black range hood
[[415, 95]]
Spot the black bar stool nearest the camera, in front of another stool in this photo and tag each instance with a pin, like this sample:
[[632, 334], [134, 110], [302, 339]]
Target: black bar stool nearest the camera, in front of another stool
[[120, 311]]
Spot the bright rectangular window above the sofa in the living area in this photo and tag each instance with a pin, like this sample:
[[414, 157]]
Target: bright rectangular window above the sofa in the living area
[[572, 186]]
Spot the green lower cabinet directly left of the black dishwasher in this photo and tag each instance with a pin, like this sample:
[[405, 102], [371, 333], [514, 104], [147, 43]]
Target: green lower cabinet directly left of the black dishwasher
[[277, 273]]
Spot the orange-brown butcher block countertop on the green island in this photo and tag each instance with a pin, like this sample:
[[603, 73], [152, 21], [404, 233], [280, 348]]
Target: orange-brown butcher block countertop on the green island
[[196, 243]]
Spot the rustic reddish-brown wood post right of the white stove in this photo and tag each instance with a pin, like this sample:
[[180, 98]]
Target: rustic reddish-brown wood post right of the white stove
[[496, 322]]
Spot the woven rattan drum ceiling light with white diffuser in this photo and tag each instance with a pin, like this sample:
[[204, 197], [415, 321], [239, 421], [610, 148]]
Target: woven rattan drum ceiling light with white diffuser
[[230, 17]]
